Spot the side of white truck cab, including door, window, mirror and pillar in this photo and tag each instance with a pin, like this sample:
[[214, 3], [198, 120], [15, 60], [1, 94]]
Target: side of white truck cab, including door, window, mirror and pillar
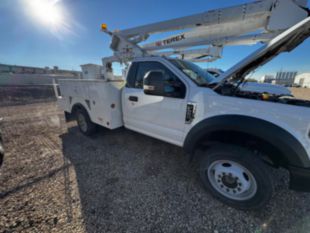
[[158, 109]]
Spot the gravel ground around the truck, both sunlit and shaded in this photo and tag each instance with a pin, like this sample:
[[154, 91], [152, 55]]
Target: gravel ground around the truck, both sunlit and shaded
[[56, 180]]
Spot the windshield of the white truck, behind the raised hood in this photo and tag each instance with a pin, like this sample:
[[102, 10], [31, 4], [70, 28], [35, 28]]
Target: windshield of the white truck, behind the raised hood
[[194, 72]]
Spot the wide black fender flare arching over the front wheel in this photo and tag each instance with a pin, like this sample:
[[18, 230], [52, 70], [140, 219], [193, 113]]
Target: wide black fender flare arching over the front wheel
[[286, 143]]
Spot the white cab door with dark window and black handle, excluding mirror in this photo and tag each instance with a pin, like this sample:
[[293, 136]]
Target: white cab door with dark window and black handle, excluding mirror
[[162, 117]]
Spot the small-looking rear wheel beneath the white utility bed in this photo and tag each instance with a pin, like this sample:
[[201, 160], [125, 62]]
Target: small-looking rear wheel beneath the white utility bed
[[84, 122]]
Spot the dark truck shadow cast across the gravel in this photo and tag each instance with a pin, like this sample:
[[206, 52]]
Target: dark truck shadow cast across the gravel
[[132, 183]]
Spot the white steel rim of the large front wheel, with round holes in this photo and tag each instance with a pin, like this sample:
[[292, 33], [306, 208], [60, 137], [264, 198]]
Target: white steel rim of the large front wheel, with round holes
[[232, 180]]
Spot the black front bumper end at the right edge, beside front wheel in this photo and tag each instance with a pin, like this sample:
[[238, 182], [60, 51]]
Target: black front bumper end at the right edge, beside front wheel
[[300, 179]]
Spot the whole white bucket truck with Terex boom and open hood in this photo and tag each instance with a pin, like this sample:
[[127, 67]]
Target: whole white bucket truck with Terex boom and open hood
[[235, 134]]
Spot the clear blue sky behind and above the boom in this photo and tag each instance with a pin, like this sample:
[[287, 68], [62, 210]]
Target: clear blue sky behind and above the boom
[[25, 40]]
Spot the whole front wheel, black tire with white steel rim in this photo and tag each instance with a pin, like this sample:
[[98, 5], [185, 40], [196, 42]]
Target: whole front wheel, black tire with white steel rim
[[230, 188]]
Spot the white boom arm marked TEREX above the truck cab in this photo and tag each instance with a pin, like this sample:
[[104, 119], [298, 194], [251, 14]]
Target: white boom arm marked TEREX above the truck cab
[[249, 23]]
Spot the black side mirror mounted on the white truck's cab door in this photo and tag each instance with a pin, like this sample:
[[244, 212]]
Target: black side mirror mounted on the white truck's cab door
[[154, 82]]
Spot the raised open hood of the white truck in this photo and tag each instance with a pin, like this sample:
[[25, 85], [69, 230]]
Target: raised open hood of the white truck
[[285, 42]]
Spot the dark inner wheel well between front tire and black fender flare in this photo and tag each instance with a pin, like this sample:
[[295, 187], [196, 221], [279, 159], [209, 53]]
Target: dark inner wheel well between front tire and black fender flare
[[266, 150]]
